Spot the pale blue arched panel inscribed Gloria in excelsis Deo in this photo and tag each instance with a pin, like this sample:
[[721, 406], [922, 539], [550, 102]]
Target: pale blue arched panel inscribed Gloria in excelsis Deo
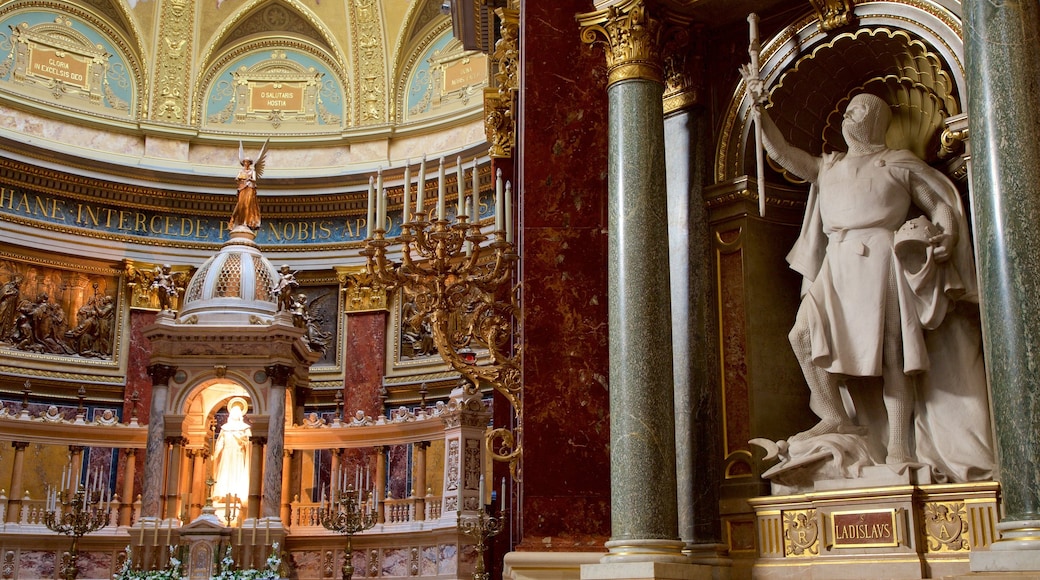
[[61, 56]]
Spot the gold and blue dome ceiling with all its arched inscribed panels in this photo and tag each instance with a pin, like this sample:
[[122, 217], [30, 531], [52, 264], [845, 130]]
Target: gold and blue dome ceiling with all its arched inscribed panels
[[356, 83]]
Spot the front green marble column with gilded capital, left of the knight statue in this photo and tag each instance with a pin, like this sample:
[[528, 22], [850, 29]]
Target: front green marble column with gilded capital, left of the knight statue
[[643, 479]]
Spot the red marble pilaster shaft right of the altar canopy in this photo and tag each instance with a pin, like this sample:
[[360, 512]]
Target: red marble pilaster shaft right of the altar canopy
[[367, 338]]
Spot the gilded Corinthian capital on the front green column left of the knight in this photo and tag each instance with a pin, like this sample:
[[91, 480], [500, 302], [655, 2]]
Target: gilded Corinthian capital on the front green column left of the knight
[[632, 37]]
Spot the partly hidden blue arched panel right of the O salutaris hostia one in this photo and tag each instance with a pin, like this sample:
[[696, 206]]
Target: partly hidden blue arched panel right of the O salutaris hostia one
[[441, 78]]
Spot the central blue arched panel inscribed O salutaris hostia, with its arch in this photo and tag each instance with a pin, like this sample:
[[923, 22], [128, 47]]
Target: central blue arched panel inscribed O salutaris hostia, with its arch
[[303, 46]]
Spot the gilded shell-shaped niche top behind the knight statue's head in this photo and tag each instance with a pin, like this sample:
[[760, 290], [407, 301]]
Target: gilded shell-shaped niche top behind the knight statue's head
[[905, 54]]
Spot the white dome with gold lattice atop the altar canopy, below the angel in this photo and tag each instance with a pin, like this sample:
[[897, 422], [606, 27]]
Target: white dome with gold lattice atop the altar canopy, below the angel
[[233, 287]]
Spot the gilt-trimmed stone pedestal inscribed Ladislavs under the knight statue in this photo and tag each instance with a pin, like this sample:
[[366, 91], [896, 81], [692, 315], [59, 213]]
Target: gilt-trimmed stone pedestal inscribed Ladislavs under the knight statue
[[896, 532]]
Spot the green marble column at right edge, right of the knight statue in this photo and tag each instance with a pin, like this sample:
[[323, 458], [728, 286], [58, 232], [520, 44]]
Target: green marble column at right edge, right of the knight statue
[[1003, 68]]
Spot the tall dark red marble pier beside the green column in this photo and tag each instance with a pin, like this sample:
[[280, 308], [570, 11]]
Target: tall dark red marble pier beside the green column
[[562, 168]]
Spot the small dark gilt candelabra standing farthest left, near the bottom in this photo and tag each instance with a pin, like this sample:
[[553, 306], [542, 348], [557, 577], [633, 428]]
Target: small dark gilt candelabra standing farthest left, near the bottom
[[75, 517]]
